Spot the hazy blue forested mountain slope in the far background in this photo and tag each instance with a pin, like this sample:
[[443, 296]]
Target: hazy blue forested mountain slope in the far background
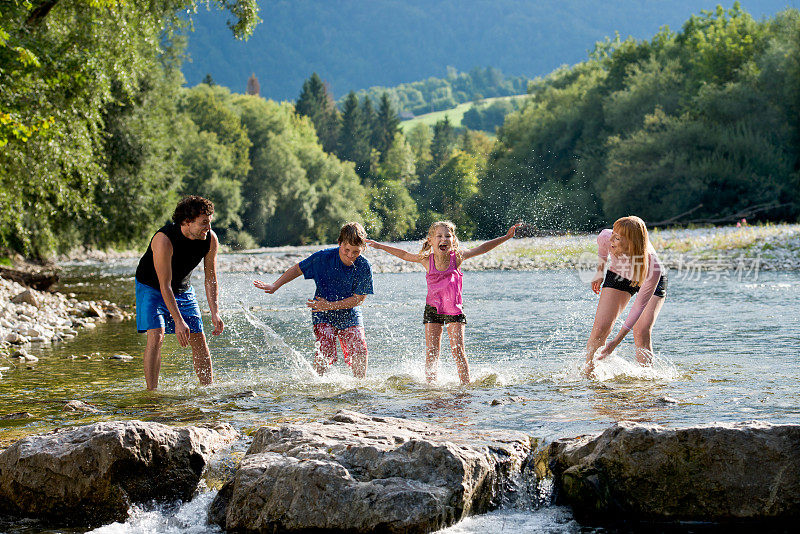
[[358, 44]]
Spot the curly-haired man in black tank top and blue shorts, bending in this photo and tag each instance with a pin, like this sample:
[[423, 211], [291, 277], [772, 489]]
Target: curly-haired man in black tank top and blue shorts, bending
[[165, 300]]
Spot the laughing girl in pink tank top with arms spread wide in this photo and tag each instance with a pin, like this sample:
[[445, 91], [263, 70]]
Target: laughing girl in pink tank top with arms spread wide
[[441, 256]]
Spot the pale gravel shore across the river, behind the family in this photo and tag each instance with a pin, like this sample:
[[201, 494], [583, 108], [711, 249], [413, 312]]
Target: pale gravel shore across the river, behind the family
[[769, 247]]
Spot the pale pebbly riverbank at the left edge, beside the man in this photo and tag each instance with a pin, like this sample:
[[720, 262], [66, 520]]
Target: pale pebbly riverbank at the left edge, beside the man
[[28, 316]]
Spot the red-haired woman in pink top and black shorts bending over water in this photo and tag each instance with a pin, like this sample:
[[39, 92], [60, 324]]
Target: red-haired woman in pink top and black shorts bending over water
[[633, 267]]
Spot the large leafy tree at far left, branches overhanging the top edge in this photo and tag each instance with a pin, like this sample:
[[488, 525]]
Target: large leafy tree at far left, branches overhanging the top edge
[[66, 71]]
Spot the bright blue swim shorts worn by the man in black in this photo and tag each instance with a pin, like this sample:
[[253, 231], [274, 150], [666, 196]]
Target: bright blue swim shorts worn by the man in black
[[152, 311]]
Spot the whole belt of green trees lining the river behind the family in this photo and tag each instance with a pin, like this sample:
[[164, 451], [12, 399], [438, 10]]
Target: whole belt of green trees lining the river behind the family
[[99, 137]]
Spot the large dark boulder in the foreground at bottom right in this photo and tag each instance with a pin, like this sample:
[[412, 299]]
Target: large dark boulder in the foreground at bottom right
[[720, 472]]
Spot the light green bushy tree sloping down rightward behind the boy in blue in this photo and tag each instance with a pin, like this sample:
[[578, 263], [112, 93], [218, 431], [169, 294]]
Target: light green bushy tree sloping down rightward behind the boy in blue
[[296, 193]]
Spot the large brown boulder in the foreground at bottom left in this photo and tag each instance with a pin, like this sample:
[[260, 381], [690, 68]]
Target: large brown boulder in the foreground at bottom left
[[90, 475]]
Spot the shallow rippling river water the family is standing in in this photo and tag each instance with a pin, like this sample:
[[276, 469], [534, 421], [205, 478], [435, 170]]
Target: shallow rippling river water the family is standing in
[[725, 345]]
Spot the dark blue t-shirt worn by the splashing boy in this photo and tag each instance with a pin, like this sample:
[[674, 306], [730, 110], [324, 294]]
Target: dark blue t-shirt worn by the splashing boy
[[336, 281]]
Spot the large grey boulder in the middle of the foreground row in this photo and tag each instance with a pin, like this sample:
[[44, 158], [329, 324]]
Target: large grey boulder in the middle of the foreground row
[[358, 473]]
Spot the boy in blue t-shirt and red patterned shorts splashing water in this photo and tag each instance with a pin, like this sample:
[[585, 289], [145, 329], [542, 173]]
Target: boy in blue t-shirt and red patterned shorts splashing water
[[344, 279]]
